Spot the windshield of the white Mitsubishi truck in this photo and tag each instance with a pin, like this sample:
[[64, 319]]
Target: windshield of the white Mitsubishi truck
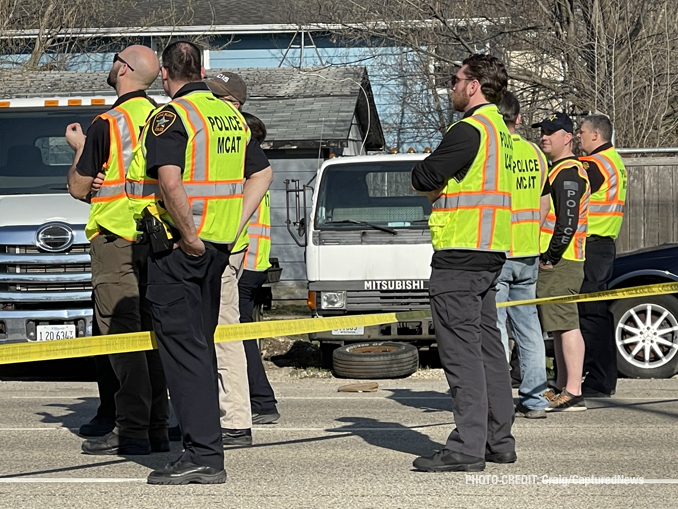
[[378, 193]]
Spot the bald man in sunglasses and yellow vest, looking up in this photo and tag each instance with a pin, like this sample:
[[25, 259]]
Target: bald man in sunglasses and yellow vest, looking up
[[118, 262]]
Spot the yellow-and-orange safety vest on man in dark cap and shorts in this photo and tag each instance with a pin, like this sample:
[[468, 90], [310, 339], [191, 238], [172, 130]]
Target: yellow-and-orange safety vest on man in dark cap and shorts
[[576, 250]]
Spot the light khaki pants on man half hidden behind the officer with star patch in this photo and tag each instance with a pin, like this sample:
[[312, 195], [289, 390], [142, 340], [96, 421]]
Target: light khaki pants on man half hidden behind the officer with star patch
[[234, 392]]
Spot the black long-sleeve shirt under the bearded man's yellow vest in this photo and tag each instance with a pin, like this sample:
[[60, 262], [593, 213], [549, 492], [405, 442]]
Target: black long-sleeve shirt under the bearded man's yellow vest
[[452, 159]]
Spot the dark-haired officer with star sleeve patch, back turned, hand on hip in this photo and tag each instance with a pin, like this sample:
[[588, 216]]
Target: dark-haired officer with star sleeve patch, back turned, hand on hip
[[189, 170]]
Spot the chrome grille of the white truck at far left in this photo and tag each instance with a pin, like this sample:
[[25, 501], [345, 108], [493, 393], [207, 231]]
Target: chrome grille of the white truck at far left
[[27, 270]]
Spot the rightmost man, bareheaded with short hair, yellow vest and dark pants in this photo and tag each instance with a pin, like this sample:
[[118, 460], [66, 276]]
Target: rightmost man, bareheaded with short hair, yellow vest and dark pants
[[607, 174]]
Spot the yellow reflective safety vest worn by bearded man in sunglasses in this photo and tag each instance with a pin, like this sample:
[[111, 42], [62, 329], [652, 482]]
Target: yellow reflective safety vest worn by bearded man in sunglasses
[[475, 213]]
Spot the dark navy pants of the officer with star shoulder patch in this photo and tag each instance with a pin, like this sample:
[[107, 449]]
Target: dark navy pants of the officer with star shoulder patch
[[184, 293]]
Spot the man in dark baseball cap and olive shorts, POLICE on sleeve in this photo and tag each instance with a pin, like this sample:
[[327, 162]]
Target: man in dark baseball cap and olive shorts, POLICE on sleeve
[[561, 262]]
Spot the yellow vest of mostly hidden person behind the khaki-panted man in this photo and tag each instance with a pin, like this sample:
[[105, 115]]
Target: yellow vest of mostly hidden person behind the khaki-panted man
[[256, 238]]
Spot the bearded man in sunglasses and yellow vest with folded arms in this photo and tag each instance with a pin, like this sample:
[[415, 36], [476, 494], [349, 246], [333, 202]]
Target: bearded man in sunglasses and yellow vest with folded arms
[[468, 180]]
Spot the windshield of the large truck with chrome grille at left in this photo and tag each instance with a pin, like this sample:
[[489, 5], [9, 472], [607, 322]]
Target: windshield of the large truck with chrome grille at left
[[34, 155]]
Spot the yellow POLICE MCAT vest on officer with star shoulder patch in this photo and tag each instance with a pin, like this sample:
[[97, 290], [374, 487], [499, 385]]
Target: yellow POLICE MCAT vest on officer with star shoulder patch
[[214, 171]]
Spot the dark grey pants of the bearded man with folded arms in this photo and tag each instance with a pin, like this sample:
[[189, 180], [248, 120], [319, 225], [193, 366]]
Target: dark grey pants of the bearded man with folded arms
[[464, 311]]
